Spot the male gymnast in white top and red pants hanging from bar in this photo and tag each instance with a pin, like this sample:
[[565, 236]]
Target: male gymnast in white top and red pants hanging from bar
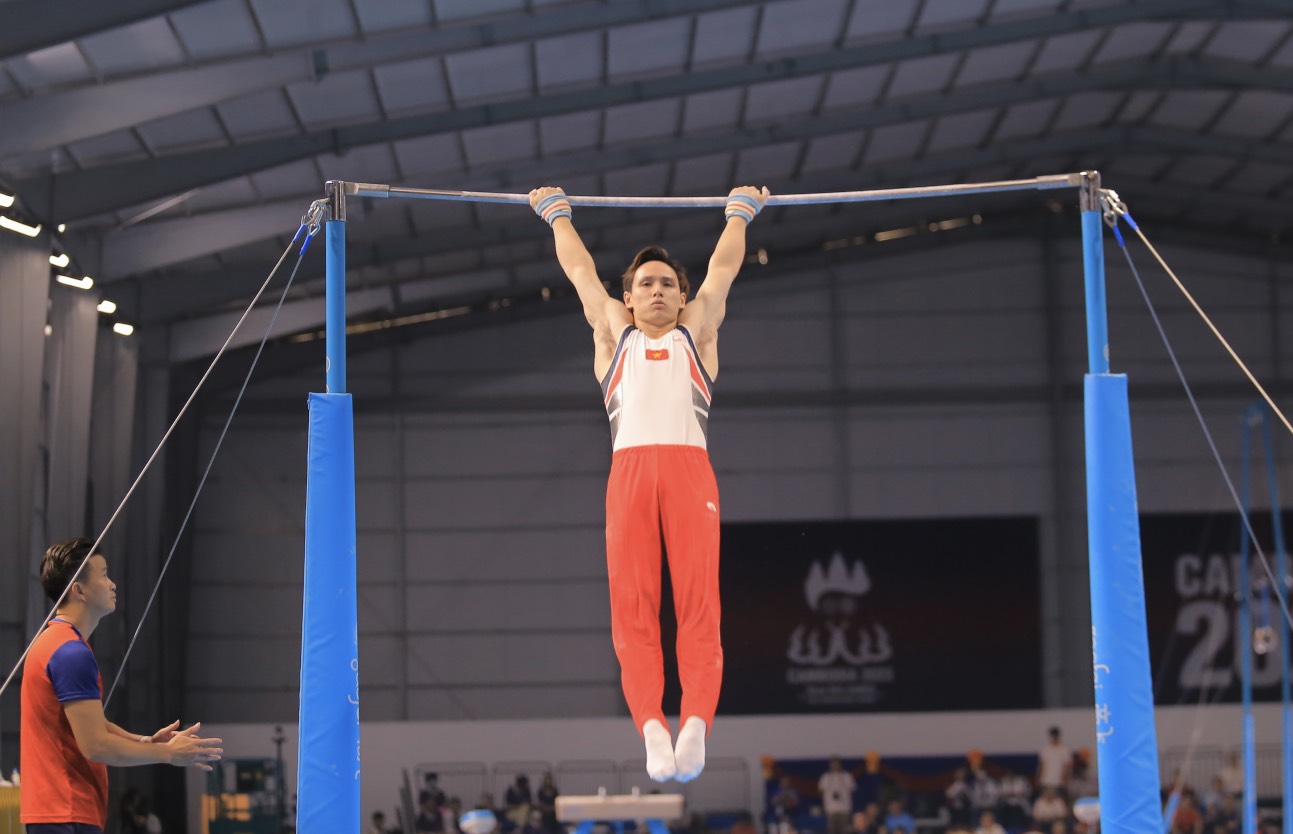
[[656, 356]]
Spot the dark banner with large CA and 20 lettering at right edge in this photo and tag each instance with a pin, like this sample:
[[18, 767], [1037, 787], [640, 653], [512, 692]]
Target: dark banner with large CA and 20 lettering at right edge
[[1191, 577]]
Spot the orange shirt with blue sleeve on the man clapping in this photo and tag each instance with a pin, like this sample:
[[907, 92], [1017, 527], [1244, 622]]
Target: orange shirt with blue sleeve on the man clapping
[[59, 783]]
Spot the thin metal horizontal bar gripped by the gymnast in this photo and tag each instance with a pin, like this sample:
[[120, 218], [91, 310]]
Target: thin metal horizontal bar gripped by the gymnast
[[1039, 184]]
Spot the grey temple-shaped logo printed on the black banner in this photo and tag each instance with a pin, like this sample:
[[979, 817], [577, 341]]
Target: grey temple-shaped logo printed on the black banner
[[839, 656]]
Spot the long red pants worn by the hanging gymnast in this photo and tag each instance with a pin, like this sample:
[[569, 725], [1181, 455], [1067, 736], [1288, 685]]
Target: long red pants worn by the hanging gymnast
[[665, 493]]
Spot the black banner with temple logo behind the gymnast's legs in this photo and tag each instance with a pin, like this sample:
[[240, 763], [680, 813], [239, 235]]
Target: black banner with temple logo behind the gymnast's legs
[[880, 616]]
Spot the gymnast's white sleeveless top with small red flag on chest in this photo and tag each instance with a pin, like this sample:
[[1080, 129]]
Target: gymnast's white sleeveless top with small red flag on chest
[[657, 391]]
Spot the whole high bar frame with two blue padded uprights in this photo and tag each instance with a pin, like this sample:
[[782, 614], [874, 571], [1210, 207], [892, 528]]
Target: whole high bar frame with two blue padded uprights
[[1128, 753]]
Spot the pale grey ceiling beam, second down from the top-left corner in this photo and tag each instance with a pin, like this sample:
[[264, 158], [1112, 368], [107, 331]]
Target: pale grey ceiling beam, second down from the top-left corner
[[61, 118]]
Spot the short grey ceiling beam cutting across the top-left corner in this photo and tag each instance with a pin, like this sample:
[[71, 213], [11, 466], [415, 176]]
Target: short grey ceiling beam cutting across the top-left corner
[[32, 25]]
